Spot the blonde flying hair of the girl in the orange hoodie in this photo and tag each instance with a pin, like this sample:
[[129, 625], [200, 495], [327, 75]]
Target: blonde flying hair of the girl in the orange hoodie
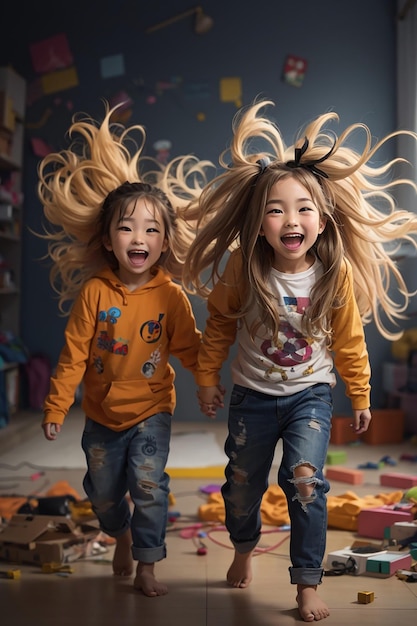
[[74, 184]]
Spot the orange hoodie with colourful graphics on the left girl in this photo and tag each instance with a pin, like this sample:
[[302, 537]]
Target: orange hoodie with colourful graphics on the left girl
[[117, 343]]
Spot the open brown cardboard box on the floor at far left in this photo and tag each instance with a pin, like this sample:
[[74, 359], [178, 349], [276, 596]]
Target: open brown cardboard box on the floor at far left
[[38, 539]]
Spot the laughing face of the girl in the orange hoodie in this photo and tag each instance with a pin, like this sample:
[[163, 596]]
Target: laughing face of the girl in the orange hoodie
[[137, 241]]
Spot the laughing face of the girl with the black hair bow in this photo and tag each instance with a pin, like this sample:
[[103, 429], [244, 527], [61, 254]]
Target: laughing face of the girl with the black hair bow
[[291, 225]]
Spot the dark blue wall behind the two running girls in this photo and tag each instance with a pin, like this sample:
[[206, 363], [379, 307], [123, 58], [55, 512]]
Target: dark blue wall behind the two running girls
[[351, 53]]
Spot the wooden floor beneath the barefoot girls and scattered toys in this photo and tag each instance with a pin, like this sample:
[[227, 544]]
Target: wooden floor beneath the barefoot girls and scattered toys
[[198, 595]]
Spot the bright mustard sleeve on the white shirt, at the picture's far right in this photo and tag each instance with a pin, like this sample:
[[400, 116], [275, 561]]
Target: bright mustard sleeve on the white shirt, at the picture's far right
[[349, 347]]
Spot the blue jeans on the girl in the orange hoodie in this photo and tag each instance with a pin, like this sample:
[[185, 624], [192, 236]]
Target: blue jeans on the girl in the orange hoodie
[[133, 461]]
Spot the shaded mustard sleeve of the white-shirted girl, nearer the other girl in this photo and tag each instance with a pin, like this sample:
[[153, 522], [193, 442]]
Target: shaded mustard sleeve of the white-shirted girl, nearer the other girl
[[220, 331]]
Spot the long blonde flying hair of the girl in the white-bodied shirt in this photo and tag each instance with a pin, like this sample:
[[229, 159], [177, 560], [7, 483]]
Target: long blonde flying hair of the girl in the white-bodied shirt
[[364, 225]]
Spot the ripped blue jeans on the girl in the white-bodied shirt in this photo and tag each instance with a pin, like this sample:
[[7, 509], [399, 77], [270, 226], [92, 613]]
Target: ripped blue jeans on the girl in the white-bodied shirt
[[256, 422]]
